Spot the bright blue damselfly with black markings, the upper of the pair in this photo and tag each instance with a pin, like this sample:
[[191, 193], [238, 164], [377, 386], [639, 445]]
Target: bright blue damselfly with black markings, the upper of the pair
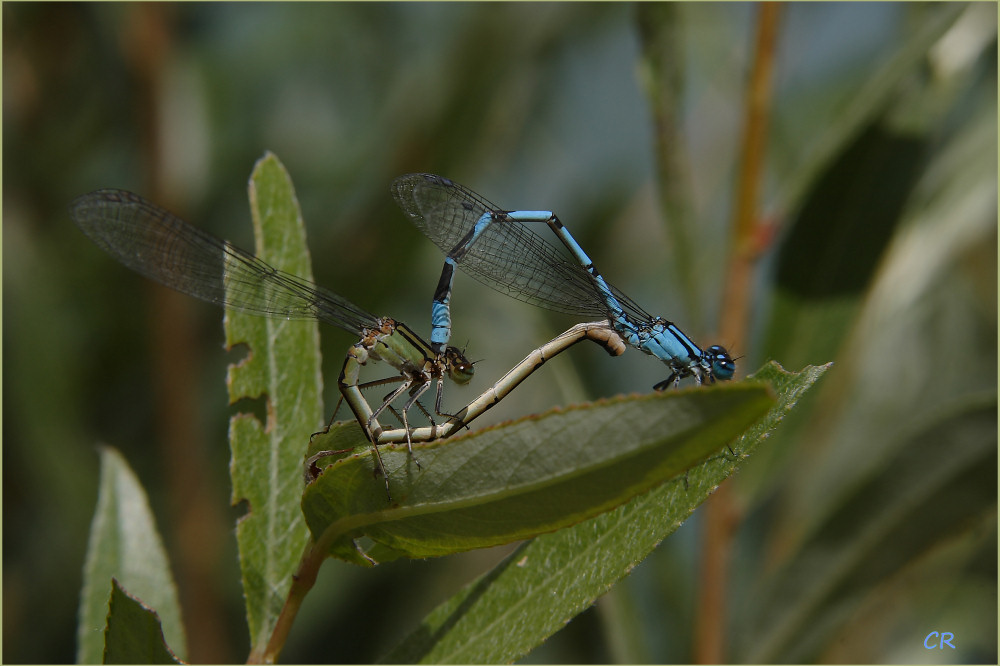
[[496, 247]]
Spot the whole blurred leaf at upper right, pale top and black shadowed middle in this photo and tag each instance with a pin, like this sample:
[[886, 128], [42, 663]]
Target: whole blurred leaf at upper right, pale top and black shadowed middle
[[846, 196]]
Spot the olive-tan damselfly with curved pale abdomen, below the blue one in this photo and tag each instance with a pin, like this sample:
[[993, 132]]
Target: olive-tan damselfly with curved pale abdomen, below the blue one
[[159, 245]]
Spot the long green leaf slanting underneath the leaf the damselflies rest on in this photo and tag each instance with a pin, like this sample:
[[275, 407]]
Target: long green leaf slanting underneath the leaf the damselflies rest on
[[549, 580]]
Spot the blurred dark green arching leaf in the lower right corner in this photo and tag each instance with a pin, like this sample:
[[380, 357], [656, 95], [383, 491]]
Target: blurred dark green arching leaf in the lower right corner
[[940, 480]]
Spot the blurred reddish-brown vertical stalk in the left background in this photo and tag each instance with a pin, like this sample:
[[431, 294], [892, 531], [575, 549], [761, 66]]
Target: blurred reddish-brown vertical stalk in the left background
[[148, 49]]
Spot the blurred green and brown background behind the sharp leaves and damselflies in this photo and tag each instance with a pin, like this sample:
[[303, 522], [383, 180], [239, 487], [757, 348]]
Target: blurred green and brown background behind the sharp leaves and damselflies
[[856, 144]]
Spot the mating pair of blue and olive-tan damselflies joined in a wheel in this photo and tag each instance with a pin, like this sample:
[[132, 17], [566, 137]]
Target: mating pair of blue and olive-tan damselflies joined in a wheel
[[493, 245]]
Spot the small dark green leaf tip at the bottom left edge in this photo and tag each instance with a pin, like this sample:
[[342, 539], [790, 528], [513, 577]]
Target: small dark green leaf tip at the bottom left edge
[[133, 634]]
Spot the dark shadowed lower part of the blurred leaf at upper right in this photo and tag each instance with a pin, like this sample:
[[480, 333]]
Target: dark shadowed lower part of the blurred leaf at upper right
[[831, 253]]
